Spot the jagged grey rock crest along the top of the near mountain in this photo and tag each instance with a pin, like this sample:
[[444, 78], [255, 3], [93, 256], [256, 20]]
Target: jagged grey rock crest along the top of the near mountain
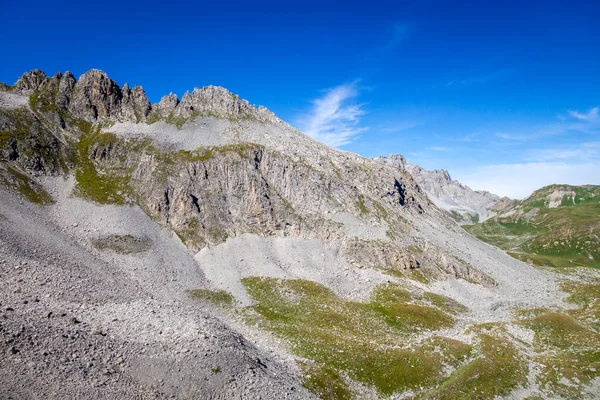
[[96, 97]]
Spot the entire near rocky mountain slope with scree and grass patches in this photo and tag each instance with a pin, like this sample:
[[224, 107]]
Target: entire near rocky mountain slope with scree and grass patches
[[203, 248]]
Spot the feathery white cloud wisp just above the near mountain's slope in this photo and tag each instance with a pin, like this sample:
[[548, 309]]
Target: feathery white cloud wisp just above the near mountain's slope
[[334, 118]]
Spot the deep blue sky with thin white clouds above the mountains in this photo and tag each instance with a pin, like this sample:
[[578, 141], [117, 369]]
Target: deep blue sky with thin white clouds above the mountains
[[504, 95]]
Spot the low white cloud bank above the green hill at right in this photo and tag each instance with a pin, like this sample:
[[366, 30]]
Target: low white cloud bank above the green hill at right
[[521, 179]]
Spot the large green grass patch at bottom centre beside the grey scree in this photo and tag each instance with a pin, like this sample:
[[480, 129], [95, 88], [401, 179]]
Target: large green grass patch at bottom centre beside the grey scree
[[361, 339]]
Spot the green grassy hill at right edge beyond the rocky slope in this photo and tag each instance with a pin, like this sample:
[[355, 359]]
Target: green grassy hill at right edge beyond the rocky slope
[[558, 226]]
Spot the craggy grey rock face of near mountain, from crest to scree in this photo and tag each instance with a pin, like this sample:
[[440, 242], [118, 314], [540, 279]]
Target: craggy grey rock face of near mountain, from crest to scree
[[257, 183]]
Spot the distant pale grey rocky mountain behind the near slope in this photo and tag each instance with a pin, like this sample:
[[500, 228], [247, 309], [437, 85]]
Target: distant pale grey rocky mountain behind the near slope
[[465, 205]]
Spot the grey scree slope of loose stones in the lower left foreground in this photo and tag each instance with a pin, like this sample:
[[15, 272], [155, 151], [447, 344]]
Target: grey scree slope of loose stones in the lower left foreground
[[77, 323]]
